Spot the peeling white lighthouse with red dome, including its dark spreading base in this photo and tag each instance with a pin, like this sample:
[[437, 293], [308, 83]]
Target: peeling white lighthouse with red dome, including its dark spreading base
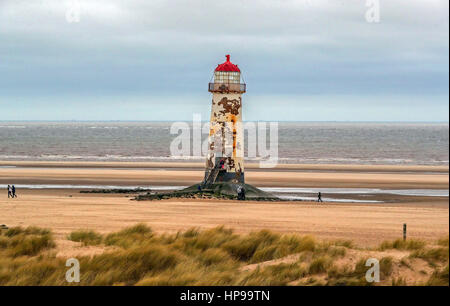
[[224, 169]]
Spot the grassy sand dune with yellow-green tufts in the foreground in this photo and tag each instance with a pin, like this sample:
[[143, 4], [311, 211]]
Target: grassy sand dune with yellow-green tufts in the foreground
[[217, 257]]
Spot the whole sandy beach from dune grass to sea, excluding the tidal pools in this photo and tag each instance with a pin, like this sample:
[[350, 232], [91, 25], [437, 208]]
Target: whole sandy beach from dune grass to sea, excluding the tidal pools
[[64, 210]]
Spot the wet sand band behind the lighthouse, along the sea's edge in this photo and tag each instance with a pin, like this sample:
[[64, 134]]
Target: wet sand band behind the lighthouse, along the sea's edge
[[392, 177]]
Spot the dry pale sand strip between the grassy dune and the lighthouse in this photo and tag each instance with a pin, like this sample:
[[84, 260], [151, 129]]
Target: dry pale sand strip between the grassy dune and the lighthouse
[[66, 210]]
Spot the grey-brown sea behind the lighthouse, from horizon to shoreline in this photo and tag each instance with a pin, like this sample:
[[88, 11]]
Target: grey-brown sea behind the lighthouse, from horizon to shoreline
[[393, 143]]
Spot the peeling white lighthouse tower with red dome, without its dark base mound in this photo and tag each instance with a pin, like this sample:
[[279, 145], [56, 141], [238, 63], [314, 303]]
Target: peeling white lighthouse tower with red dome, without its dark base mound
[[225, 157]]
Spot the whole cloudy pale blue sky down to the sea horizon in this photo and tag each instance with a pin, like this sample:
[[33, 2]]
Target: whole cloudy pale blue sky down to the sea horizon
[[302, 60]]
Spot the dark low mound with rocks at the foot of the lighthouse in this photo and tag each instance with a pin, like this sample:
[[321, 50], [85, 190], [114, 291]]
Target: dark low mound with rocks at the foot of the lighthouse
[[218, 190]]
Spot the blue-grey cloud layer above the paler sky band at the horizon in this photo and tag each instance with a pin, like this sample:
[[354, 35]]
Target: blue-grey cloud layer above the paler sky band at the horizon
[[157, 47]]
